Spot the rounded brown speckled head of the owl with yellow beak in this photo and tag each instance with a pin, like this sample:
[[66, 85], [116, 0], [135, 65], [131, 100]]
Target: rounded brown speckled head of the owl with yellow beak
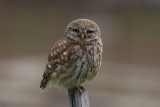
[[82, 31]]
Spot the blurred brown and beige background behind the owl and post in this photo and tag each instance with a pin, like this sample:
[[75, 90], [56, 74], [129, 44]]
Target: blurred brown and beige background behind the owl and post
[[130, 72]]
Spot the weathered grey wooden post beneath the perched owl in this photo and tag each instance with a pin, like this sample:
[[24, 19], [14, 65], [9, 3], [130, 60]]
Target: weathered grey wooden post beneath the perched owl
[[77, 98]]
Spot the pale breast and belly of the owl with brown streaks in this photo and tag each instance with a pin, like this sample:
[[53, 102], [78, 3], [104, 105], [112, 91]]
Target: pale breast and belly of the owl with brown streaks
[[87, 62]]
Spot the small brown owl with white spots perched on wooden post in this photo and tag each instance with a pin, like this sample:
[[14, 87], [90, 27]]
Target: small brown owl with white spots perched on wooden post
[[76, 57]]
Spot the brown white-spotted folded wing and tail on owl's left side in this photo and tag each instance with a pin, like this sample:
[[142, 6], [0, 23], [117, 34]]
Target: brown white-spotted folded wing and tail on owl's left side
[[57, 56]]
